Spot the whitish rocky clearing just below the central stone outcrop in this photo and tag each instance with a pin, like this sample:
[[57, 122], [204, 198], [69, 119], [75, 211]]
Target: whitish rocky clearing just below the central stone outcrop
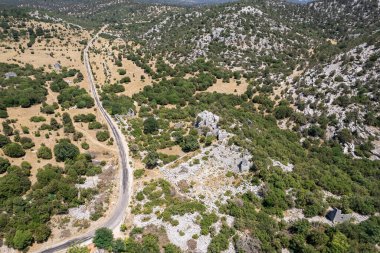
[[206, 173]]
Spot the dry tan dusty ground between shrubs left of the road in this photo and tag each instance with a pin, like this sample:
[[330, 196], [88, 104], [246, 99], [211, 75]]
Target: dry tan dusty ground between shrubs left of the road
[[67, 51]]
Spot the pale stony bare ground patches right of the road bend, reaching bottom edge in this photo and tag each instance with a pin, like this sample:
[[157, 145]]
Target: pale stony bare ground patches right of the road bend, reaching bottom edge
[[208, 175]]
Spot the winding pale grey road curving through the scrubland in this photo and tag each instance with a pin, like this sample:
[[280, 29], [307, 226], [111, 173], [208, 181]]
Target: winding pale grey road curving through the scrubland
[[126, 178]]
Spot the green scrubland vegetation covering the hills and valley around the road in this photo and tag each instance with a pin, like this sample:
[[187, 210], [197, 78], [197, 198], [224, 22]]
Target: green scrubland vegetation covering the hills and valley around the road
[[311, 101]]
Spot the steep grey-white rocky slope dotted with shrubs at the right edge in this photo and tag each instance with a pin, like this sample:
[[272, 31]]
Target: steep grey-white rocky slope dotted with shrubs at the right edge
[[332, 90]]
